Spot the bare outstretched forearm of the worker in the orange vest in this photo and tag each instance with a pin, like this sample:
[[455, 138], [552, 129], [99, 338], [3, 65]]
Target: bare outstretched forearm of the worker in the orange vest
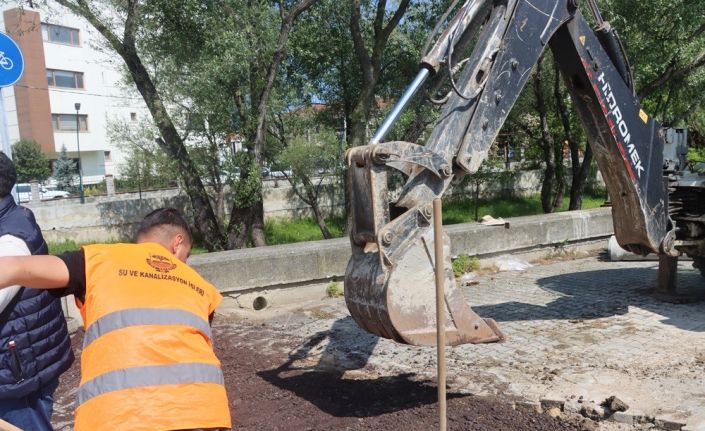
[[39, 272]]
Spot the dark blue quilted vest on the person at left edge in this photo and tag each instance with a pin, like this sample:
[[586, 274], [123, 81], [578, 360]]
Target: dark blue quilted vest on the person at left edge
[[33, 320]]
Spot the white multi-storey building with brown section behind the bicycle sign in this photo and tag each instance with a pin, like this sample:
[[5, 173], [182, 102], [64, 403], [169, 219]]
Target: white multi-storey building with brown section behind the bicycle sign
[[66, 64]]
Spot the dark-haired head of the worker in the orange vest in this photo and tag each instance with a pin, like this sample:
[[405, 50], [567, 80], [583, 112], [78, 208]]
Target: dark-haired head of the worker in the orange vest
[[166, 226]]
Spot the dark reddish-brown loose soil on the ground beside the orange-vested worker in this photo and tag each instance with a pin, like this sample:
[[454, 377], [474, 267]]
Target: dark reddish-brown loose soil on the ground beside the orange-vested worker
[[272, 388]]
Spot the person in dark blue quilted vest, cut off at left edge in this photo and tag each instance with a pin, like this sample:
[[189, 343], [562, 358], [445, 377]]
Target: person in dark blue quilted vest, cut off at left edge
[[34, 341]]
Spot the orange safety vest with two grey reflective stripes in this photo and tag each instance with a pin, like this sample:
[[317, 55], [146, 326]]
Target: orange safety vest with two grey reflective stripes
[[147, 360]]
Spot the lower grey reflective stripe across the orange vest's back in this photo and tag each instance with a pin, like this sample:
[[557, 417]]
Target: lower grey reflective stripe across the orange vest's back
[[135, 377]]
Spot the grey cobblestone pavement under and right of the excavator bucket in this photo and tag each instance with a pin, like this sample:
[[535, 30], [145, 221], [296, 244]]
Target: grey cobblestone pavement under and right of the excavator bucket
[[581, 328]]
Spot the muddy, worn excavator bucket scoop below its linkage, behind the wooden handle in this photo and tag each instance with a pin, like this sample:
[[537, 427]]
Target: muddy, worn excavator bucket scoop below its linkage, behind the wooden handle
[[400, 304]]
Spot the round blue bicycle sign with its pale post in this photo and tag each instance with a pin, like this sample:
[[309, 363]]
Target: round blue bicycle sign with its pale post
[[11, 68]]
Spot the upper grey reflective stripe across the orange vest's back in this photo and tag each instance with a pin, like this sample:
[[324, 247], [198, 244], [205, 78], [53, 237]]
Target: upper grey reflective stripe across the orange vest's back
[[144, 316]]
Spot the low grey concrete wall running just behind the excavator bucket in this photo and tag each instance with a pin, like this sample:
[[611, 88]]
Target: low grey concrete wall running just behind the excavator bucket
[[318, 261]]
